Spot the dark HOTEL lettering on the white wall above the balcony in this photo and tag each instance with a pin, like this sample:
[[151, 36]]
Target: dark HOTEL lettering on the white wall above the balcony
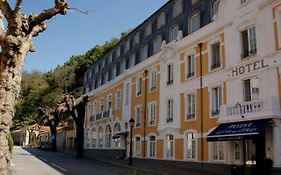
[[249, 67]]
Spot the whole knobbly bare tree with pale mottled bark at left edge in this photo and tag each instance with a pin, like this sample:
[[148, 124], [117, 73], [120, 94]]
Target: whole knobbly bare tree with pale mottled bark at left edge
[[16, 42]]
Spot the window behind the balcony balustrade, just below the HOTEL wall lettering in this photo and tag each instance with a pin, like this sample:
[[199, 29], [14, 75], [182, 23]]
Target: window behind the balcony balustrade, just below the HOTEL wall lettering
[[251, 89]]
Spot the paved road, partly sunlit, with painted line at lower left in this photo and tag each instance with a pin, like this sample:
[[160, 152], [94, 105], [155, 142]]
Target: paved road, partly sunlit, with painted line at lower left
[[29, 161]]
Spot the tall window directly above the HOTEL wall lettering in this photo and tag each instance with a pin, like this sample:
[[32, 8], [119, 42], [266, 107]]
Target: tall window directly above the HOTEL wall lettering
[[249, 43]]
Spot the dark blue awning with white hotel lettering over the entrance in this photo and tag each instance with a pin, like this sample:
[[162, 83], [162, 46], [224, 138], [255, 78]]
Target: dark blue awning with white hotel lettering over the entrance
[[237, 130]]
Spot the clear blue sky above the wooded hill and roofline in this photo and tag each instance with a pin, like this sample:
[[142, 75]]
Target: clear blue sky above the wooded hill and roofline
[[76, 33]]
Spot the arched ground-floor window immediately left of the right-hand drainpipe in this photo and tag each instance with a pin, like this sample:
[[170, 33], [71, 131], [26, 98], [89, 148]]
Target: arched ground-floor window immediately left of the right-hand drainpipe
[[190, 146]]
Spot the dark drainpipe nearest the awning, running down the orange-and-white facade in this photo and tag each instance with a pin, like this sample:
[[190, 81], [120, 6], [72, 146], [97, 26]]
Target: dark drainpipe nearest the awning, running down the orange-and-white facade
[[201, 108]]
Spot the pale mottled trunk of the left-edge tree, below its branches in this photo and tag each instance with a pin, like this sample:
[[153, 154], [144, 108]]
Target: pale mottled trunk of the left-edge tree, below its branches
[[10, 79]]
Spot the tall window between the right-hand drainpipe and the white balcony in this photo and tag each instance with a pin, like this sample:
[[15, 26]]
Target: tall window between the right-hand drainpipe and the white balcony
[[216, 100]]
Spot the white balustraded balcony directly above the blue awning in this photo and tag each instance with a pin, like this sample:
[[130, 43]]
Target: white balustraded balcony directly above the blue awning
[[263, 108]]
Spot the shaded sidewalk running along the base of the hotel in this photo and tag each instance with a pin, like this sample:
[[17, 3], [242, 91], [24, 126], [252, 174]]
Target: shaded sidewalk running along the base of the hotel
[[161, 167]]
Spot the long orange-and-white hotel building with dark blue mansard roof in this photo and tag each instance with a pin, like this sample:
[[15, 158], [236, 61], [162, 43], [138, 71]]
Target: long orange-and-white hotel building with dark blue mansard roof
[[201, 78]]
